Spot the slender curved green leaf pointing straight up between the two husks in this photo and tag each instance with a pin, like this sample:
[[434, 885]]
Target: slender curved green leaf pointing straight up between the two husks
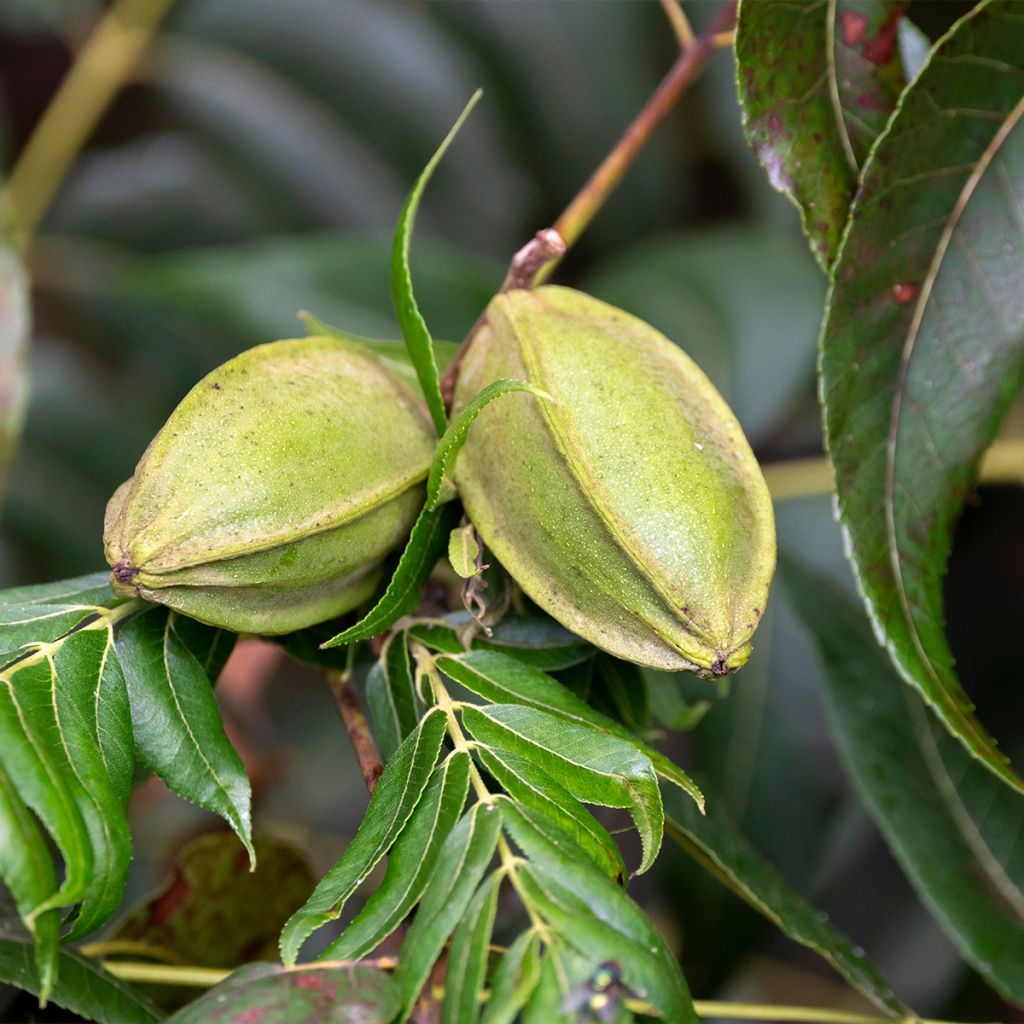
[[414, 328]]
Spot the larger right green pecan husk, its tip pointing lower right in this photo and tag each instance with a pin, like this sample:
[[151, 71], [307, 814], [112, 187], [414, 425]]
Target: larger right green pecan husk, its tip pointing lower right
[[630, 507]]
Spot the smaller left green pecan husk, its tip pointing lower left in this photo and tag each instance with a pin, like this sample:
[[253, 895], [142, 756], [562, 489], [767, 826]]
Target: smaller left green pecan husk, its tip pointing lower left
[[269, 500]]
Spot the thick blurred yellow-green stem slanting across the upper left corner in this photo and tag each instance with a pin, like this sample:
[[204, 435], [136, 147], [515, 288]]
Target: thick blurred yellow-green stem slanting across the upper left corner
[[101, 70]]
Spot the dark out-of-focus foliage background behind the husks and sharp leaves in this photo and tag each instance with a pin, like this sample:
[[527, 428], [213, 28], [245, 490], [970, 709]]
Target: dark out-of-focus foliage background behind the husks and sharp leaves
[[254, 167]]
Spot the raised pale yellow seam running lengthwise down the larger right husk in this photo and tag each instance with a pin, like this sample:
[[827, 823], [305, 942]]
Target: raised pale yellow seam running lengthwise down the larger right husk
[[590, 490]]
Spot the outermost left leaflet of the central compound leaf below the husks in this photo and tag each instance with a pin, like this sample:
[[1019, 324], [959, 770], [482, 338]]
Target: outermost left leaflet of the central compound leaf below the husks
[[398, 793]]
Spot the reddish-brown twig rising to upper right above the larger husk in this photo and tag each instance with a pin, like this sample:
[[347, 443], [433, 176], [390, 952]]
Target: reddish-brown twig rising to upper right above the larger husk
[[603, 183]]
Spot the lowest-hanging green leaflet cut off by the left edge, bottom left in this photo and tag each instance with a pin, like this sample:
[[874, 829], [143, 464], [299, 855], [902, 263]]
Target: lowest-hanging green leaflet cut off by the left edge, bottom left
[[27, 870]]
